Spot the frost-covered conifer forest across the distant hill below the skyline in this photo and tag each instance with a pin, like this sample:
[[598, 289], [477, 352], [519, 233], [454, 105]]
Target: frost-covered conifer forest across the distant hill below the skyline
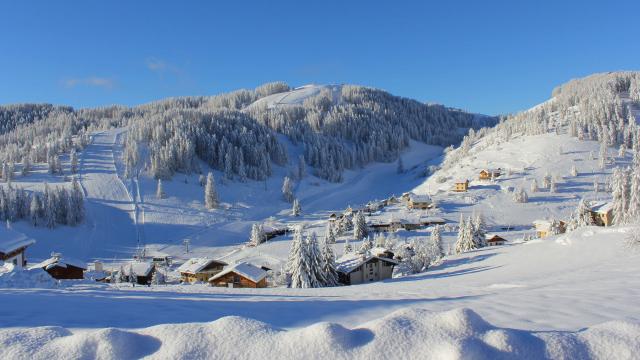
[[358, 126]]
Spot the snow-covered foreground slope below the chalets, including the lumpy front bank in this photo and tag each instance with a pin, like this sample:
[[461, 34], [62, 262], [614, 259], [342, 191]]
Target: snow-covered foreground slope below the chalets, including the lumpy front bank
[[565, 283]]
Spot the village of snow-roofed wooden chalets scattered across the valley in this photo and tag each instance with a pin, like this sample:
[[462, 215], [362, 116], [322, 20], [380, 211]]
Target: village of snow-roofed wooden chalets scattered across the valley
[[397, 217]]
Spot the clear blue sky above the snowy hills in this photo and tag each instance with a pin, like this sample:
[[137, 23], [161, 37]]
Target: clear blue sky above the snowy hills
[[484, 56]]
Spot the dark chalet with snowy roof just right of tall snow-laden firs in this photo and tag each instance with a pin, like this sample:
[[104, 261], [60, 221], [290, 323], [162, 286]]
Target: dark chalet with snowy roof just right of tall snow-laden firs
[[363, 268]]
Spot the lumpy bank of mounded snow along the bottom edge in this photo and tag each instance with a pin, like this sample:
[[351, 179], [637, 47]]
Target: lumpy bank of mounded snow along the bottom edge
[[405, 334]]
